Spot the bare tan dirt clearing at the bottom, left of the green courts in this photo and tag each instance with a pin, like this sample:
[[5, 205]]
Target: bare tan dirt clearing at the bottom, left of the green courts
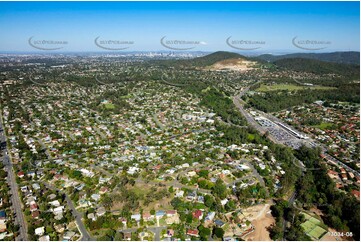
[[261, 219]]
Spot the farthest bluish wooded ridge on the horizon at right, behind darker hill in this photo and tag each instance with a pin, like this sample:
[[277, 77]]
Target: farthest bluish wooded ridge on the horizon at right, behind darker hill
[[347, 57]]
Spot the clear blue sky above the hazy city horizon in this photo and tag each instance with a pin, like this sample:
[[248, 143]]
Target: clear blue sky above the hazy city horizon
[[275, 24]]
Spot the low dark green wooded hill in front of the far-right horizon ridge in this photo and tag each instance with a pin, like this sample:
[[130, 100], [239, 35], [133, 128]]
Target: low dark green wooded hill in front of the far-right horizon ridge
[[317, 67]]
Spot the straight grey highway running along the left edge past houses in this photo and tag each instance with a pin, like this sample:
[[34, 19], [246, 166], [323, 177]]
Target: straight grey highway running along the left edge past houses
[[15, 198]]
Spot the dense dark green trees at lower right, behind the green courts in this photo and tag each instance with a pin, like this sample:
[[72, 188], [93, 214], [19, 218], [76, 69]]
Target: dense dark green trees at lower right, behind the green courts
[[316, 188]]
